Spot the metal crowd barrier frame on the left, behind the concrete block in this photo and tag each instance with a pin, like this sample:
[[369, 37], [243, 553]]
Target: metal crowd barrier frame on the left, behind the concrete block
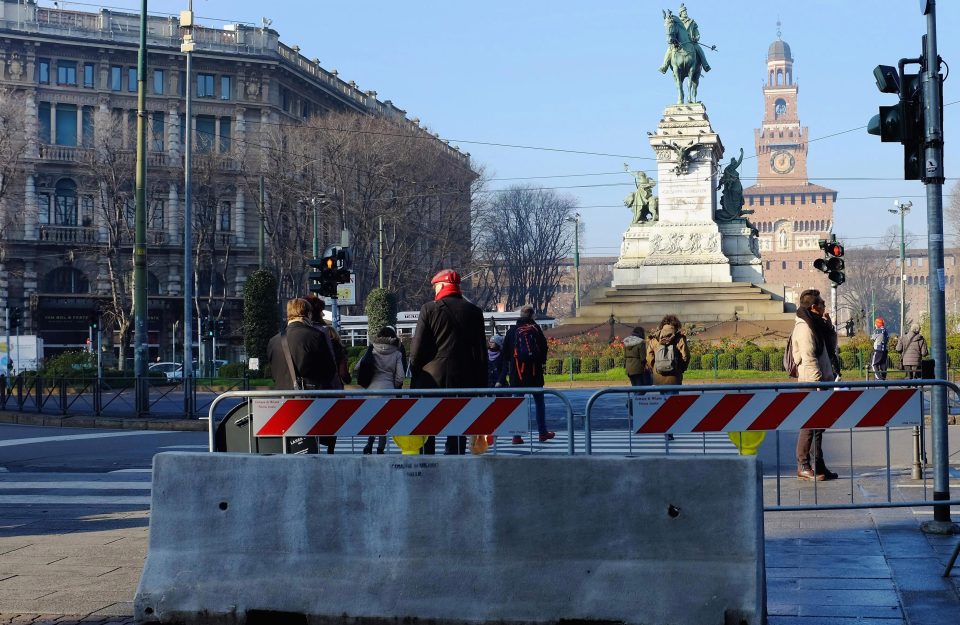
[[355, 395]]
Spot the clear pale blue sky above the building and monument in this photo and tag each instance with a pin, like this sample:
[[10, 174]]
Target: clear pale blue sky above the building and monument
[[580, 76]]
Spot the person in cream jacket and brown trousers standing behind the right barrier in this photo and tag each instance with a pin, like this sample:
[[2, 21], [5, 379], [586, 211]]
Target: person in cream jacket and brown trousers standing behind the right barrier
[[813, 341]]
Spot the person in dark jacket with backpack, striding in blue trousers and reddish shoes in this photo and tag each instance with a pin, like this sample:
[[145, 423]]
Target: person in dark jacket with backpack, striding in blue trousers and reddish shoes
[[525, 348]]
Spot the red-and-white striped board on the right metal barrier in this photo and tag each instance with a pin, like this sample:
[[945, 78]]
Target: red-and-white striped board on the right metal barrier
[[775, 410]]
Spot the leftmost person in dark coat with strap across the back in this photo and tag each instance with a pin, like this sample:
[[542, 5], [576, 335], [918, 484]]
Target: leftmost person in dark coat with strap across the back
[[300, 358]]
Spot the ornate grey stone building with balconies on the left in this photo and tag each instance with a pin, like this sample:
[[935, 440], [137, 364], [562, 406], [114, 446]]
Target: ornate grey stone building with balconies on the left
[[74, 77]]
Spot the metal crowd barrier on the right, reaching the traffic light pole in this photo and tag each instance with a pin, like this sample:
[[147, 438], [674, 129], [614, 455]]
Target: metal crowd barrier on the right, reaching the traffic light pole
[[723, 419]]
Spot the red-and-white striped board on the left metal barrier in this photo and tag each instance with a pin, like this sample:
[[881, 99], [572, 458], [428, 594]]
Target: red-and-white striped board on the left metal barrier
[[424, 416]]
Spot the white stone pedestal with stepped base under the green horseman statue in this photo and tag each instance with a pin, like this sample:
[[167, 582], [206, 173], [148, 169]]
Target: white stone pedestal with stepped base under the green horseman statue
[[687, 262]]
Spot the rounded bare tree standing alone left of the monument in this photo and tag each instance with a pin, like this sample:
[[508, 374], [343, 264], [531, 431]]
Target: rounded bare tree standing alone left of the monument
[[524, 237]]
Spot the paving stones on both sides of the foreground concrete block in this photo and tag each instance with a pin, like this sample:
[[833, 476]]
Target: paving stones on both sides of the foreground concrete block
[[837, 567]]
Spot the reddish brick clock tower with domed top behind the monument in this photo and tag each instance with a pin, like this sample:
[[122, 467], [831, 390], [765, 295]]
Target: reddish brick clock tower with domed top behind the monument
[[791, 213]]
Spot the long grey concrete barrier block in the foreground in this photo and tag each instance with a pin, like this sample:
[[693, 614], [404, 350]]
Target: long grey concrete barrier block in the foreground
[[662, 540]]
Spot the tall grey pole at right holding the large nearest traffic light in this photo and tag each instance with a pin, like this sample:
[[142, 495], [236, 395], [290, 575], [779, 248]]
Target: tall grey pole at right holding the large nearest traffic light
[[932, 167]]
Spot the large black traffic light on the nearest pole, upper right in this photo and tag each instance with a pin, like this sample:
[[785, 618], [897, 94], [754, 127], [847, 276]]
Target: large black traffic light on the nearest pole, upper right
[[903, 122]]
